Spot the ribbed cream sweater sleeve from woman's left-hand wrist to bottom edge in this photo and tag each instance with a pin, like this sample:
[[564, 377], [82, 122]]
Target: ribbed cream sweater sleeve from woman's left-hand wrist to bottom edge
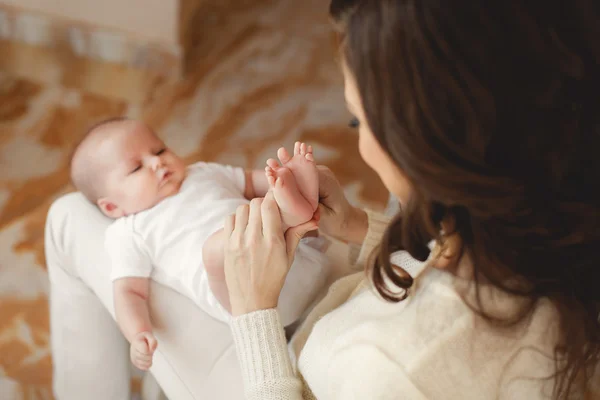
[[263, 356]]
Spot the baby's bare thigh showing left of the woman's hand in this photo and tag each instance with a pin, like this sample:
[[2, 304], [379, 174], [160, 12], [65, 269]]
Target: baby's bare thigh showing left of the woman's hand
[[214, 260]]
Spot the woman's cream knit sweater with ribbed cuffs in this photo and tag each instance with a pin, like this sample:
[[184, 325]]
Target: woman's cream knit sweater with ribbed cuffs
[[354, 345]]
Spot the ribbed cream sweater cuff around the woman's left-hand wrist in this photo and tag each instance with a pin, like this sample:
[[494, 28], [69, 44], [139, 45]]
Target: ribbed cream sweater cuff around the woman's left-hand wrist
[[261, 347]]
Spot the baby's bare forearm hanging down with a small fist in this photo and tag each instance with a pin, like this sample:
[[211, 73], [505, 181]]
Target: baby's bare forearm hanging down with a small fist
[[131, 310]]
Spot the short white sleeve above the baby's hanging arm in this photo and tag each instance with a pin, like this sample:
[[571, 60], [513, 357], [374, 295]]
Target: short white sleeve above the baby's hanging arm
[[127, 252]]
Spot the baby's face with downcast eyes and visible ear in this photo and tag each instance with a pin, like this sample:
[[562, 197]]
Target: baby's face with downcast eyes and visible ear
[[140, 170]]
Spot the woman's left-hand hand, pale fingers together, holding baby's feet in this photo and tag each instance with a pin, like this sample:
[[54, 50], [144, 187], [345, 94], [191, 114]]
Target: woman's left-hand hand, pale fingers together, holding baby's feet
[[258, 255]]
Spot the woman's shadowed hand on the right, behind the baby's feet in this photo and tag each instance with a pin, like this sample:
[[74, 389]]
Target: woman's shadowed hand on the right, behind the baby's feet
[[337, 217]]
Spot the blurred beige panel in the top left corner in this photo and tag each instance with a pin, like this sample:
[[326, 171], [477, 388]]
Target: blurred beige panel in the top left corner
[[78, 34]]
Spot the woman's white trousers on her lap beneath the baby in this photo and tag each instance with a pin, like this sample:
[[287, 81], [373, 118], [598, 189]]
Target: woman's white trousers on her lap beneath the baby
[[195, 358]]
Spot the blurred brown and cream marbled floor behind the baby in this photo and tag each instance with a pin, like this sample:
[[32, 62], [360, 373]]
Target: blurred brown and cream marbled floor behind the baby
[[262, 74]]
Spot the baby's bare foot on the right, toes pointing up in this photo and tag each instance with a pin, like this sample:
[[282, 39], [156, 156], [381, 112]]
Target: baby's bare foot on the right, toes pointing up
[[305, 171]]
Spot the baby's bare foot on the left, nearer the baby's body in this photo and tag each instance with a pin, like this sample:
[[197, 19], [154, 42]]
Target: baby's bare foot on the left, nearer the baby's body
[[294, 208]]
